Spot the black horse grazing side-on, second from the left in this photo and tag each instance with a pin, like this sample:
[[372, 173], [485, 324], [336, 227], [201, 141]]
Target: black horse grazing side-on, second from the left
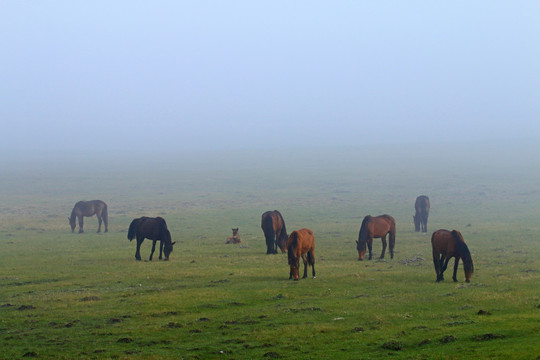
[[154, 229]]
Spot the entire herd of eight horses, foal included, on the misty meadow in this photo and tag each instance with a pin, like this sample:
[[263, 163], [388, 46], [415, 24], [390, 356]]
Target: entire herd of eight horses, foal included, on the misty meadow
[[300, 244]]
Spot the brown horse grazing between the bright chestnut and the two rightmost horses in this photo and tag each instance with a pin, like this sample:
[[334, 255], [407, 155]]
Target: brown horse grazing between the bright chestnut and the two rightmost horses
[[376, 227]]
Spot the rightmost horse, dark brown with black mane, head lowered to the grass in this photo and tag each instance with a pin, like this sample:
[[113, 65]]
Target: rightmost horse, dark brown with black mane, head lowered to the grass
[[447, 244]]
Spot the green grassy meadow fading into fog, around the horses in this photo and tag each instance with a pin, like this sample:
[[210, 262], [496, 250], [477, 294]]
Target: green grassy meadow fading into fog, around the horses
[[75, 296]]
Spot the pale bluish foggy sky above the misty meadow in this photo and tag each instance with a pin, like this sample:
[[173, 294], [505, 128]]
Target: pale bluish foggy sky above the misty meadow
[[84, 76]]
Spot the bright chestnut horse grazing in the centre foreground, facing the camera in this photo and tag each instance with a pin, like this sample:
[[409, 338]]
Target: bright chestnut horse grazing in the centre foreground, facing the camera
[[301, 244]]
